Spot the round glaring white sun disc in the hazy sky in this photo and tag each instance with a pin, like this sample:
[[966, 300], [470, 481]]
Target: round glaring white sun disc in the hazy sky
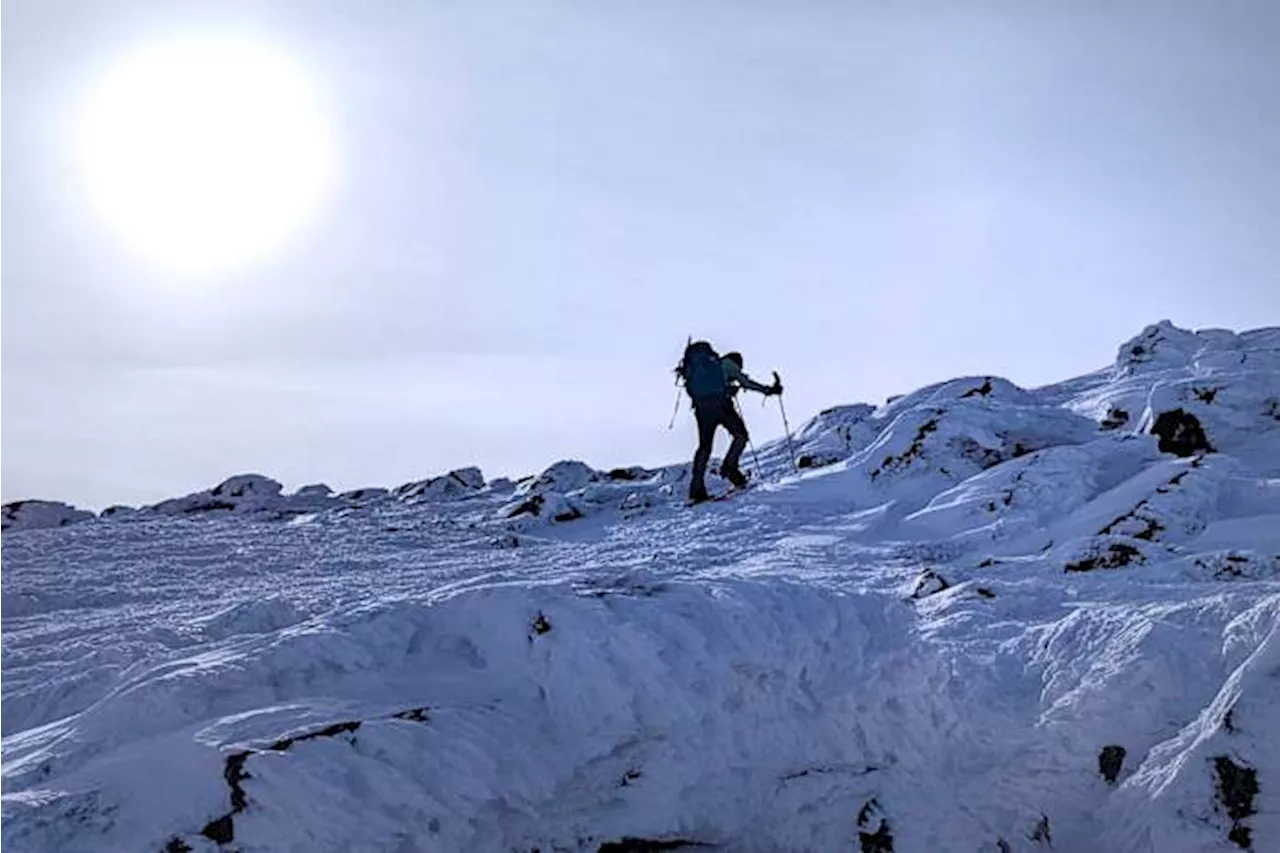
[[205, 154]]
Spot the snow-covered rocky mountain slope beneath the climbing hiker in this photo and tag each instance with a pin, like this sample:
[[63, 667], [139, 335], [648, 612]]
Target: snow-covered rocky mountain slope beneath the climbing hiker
[[976, 619]]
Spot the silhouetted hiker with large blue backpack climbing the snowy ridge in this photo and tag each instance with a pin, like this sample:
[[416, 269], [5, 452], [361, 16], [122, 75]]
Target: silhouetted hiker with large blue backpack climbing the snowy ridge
[[712, 382]]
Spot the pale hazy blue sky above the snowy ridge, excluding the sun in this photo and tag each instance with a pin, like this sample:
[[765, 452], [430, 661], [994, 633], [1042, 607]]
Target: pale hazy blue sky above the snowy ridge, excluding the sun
[[538, 202]]
